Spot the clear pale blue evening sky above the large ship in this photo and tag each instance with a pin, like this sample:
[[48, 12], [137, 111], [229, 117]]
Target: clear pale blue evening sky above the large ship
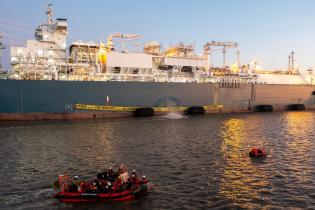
[[266, 30]]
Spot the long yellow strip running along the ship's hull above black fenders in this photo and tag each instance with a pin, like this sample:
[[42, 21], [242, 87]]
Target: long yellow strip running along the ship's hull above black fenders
[[133, 108]]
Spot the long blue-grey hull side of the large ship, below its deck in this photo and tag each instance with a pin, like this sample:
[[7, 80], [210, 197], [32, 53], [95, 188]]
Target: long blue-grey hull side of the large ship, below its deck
[[50, 99]]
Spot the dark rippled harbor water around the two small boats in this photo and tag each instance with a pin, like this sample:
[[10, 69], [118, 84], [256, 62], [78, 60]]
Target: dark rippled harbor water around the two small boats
[[194, 162]]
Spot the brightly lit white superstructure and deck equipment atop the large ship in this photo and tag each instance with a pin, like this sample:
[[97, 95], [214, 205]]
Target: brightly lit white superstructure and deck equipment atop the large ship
[[45, 57]]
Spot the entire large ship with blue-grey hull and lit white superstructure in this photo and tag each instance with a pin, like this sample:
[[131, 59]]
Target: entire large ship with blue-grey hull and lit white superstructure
[[48, 80]]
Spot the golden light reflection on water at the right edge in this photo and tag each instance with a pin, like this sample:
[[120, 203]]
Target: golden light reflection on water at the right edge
[[298, 131]]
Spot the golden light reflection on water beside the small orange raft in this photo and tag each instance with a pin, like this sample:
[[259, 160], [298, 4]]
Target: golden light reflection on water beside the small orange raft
[[241, 180]]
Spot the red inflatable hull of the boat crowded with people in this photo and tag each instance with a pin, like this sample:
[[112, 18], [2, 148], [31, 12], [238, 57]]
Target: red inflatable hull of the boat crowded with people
[[75, 197]]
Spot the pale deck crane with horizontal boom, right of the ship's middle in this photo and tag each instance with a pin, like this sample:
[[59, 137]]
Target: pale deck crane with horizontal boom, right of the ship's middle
[[225, 45]]
